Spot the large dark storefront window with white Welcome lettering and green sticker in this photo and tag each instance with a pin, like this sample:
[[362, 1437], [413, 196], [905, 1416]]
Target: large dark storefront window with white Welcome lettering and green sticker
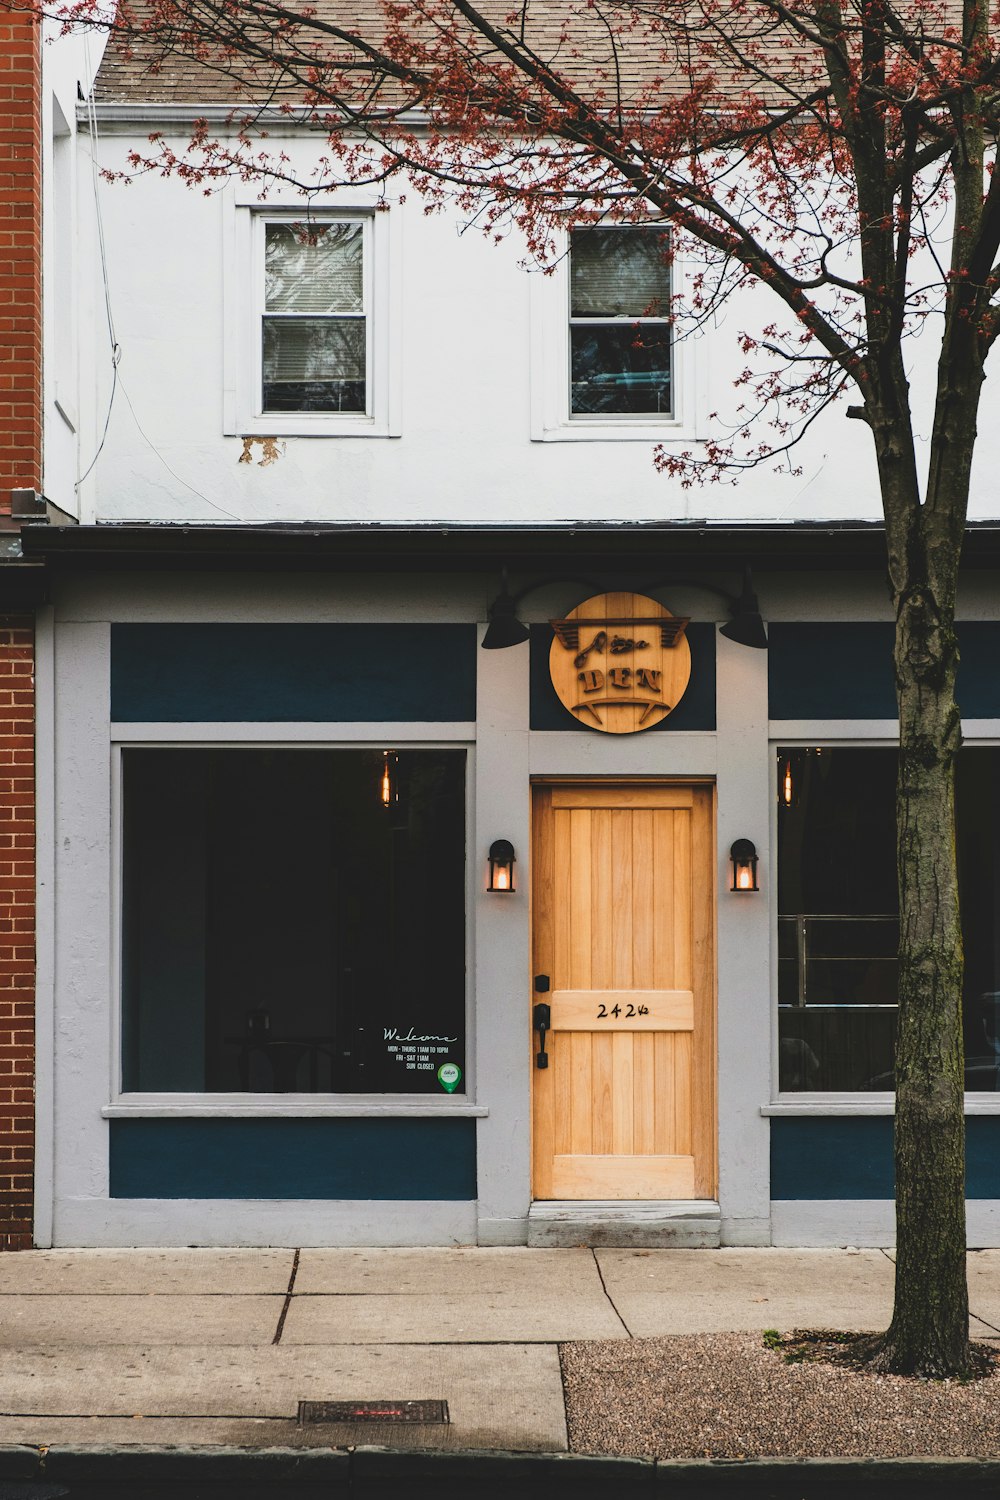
[[295, 922]]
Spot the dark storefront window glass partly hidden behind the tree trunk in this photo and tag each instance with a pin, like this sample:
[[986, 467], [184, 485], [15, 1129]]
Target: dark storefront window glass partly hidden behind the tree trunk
[[839, 917]]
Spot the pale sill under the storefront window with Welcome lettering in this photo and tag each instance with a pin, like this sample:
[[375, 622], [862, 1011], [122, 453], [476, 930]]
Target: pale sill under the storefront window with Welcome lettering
[[286, 1106]]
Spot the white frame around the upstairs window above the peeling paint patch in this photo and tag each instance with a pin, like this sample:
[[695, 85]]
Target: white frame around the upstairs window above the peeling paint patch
[[244, 310]]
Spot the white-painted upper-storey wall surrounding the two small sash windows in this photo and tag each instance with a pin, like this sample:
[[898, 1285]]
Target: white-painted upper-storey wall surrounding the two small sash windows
[[472, 358]]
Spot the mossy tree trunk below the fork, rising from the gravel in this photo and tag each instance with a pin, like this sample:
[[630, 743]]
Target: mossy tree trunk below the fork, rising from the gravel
[[930, 1325]]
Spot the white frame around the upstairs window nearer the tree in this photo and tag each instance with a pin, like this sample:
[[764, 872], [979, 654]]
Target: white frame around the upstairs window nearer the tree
[[551, 418]]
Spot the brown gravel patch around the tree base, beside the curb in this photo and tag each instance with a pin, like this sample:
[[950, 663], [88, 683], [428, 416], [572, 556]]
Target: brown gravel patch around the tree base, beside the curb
[[726, 1396]]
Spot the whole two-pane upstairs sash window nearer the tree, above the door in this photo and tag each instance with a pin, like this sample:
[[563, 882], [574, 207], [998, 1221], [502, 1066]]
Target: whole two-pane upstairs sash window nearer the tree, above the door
[[620, 323]]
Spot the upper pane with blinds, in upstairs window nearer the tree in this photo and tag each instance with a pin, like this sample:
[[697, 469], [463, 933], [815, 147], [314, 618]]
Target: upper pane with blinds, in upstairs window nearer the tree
[[620, 274]]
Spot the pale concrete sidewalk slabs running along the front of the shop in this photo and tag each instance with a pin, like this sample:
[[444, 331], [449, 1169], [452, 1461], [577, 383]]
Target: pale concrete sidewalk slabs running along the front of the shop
[[220, 1346]]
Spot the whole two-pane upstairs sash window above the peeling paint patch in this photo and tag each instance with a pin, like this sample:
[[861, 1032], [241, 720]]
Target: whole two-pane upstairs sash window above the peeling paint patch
[[314, 323]]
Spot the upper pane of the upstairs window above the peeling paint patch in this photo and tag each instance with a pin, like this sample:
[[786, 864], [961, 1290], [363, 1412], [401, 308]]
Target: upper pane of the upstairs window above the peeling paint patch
[[314, 268]]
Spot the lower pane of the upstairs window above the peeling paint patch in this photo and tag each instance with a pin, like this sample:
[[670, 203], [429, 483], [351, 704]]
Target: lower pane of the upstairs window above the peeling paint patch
[[314, 365]]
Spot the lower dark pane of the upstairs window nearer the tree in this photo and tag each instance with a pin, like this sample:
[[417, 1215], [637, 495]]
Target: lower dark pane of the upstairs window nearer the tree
[[623, 371]]
